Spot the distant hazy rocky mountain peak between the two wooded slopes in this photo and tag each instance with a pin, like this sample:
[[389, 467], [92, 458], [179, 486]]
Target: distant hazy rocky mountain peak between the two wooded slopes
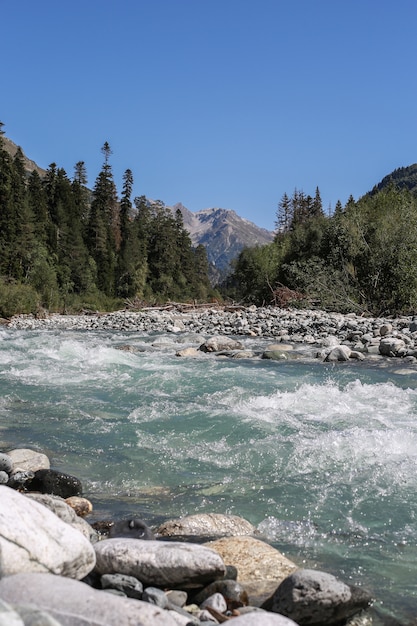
[[223, 233]]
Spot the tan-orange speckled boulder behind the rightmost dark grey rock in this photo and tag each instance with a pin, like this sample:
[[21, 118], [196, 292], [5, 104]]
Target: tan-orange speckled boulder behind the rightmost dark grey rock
[[254, 559]]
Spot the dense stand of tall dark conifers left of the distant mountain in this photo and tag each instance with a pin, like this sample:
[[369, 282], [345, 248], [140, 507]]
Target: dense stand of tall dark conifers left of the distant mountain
[[66, 248]]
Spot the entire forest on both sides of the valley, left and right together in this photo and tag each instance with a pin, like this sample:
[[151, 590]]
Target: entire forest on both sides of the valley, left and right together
[[67, 248]]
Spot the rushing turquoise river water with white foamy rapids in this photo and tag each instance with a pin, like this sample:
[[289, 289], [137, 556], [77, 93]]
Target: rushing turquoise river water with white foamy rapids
[[321, 458]]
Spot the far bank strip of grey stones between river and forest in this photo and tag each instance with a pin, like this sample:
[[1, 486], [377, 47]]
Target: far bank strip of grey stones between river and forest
[[328, 336]]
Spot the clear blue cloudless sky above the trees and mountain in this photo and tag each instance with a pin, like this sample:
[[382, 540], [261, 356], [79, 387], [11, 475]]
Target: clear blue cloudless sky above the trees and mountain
[[215, 103]]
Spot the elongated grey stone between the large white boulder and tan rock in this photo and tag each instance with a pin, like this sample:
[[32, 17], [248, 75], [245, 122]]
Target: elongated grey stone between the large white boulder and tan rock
[[159, 563]]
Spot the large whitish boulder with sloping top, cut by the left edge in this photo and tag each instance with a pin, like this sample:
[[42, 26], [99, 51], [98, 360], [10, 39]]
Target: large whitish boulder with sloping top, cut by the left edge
[[33, 539]]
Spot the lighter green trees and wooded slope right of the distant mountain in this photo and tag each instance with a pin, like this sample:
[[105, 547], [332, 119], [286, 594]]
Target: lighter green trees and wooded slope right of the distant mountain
[[361, 258]]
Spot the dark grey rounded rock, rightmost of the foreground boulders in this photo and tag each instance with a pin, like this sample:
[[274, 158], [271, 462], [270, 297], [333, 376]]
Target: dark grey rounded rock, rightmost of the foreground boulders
[[316, 598]]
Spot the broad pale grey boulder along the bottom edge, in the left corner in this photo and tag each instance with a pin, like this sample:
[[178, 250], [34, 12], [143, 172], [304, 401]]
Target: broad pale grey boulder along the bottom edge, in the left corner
[[72, 603]]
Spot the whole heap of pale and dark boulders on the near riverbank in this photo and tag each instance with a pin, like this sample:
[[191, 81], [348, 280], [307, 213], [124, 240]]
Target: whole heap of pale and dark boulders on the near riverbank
[[206, 568]]
